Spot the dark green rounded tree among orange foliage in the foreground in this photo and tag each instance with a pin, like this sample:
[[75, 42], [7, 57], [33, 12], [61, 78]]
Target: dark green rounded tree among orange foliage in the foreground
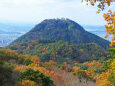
[[37, 77]]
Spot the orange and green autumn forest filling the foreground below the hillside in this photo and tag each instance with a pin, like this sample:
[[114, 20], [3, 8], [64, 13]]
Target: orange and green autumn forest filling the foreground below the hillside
[[26, 70]]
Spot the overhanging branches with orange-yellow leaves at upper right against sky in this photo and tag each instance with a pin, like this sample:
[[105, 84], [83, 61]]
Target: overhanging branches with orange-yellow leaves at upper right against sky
[[109, 17]]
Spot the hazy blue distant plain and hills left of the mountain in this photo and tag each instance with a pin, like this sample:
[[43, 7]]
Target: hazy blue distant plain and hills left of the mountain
[[11, 31]]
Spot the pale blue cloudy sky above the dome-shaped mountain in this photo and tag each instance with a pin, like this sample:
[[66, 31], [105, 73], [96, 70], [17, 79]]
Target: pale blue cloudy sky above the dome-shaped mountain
[[35, 11]]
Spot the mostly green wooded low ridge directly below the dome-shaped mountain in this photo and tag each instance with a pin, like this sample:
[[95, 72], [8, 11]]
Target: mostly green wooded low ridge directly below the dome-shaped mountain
[[60, 51]]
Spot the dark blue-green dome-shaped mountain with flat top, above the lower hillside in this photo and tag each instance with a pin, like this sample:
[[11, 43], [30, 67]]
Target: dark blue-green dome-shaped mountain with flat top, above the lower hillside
[[62, 29]]
